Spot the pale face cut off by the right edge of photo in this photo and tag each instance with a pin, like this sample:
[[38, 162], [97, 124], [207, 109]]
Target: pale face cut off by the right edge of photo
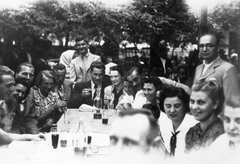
[[231, 122]]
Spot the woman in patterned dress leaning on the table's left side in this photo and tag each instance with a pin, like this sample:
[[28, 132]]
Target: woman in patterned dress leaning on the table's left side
[[47, 103]]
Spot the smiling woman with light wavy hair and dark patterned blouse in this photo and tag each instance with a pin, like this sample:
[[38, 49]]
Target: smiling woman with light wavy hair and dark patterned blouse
[[205, 104]]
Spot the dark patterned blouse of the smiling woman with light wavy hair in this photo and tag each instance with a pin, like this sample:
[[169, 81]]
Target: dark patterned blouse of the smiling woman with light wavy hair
[[196, 138]]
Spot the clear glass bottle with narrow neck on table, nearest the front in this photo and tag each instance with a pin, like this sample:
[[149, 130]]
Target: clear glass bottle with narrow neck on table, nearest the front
[[79, 141]]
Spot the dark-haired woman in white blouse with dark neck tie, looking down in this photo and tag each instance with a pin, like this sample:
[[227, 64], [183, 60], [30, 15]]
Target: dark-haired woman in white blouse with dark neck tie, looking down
[[175, 120]]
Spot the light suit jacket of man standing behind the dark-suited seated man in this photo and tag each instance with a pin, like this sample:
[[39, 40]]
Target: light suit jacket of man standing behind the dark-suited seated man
[[76, 69]]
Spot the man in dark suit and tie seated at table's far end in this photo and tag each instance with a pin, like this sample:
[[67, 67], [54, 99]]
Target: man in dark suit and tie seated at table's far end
[[85, 92]]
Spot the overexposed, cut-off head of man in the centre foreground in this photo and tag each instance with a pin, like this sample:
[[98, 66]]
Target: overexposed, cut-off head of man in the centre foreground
[[136, 131]]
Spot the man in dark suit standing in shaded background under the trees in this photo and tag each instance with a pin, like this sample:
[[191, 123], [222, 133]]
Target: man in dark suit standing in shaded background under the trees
[[161, 61]]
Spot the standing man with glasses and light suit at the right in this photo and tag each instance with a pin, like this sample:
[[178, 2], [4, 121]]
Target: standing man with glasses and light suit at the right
[[214, 68]]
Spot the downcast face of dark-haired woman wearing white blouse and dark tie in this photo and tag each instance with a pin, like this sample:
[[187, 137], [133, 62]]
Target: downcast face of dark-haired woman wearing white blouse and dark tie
[[174, 108]]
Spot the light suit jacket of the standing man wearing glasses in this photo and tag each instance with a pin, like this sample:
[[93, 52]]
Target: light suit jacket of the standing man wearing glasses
[[224, 74]]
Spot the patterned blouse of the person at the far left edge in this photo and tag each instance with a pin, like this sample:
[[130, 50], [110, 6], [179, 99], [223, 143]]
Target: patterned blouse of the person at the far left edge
[[6, 117]]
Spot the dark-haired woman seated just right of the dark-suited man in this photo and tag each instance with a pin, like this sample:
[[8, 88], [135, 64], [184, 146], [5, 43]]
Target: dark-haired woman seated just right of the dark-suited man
[[114, 92]]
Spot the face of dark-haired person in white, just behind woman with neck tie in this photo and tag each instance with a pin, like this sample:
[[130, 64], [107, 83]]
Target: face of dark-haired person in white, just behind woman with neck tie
[[150, 92]]
